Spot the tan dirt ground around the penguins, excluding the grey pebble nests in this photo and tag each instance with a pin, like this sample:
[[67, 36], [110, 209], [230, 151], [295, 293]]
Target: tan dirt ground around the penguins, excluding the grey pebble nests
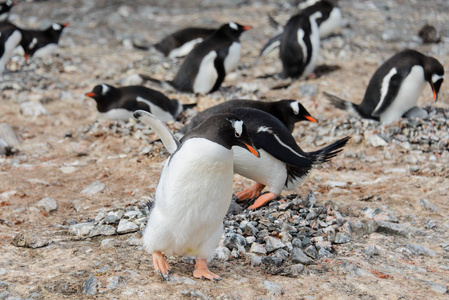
[[65, 151]]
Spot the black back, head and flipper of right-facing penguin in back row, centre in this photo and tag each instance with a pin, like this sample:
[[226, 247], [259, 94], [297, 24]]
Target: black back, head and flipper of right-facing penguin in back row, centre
[[219, 41]]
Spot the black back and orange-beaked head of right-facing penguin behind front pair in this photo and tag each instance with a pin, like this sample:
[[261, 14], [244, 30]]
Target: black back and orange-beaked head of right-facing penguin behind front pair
[[287, 111]]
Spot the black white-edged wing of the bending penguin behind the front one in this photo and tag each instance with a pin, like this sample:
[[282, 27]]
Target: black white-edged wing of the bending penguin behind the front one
[[281, 149]]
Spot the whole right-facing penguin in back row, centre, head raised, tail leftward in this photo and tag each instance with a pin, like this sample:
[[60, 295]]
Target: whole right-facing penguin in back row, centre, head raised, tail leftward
[[205, 68]]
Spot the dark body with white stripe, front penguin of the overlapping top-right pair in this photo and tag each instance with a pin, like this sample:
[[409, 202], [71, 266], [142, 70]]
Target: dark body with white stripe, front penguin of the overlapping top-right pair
[[299, 46]]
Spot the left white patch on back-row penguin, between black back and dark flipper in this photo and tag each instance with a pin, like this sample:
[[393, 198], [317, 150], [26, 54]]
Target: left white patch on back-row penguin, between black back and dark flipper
[[207, 74]]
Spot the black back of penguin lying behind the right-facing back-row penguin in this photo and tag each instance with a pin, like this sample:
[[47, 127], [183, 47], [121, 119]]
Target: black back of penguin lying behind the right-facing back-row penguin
[[180, 37]]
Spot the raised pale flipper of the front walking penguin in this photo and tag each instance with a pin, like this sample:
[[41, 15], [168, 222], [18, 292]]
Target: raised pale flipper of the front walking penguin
[[168, 139]]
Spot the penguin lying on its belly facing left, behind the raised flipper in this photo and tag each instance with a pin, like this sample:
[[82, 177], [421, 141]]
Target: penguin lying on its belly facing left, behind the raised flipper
[[120, 103]]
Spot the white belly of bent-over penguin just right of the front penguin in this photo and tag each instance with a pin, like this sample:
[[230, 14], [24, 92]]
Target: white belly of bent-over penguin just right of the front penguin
[[266, 169]]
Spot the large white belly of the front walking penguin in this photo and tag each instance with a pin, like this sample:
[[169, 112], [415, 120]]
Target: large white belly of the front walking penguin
[[192, 197]]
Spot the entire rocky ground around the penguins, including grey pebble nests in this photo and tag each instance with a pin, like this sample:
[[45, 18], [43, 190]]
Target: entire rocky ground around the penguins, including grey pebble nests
[[371, 224]]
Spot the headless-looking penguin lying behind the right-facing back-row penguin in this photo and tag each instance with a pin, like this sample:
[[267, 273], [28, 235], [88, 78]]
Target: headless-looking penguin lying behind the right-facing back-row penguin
[[181, 42]]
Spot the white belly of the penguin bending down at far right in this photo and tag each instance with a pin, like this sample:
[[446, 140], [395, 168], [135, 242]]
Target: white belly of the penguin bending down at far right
[[407, 97]]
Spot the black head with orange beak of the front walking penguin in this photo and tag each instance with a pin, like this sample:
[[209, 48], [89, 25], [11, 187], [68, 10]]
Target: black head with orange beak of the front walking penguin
[[225, 129]]
